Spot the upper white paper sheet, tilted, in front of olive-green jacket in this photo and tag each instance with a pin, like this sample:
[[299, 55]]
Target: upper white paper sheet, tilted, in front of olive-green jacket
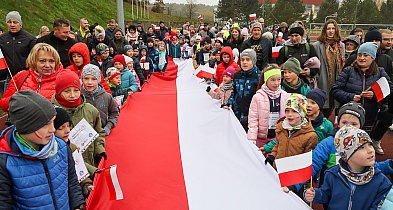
[[82, 135]]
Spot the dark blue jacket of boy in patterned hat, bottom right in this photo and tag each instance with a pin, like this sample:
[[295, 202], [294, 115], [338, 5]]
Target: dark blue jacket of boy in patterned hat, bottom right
[[338, 193]]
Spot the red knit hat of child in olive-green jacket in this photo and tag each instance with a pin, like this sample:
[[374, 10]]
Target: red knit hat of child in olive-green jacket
[[66, 79]]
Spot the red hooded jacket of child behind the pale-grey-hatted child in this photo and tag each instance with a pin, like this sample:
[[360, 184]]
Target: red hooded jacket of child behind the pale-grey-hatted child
[[82, 49]]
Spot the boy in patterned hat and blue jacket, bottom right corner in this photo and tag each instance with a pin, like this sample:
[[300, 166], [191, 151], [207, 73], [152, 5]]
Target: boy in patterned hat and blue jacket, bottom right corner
[[355, 182]]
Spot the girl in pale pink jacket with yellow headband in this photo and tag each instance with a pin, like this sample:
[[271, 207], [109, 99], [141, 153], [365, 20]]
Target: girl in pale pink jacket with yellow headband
[[267, 106]]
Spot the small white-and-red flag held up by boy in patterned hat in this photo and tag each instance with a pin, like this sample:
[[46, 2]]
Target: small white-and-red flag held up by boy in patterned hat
[[295, 169]]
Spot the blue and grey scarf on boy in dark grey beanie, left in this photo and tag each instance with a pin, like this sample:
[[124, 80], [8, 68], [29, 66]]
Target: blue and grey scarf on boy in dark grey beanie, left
[[47, 150]]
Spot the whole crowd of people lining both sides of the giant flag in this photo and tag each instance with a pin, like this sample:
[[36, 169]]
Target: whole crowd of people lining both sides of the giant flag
[[62, 76]]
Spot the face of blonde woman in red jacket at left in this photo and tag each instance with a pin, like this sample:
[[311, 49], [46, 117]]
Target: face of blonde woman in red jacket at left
[[45, 64]]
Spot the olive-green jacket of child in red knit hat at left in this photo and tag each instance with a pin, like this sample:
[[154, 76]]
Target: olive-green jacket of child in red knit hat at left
[[92, 116]]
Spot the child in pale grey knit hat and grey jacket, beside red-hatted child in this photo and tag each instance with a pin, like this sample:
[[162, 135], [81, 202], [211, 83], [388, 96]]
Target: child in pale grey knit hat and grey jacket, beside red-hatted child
[[102, 101]]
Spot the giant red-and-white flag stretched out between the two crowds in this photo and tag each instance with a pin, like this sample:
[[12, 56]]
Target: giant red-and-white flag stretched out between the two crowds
[[175, 149]]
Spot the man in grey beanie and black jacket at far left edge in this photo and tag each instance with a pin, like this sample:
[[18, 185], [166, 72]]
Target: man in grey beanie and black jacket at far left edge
[[15, 45]]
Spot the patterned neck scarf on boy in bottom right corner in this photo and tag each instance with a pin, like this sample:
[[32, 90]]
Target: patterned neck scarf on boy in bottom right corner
[[356, 178]]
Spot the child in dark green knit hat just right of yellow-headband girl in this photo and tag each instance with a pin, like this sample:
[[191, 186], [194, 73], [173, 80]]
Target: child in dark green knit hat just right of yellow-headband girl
[[292, 83]]
